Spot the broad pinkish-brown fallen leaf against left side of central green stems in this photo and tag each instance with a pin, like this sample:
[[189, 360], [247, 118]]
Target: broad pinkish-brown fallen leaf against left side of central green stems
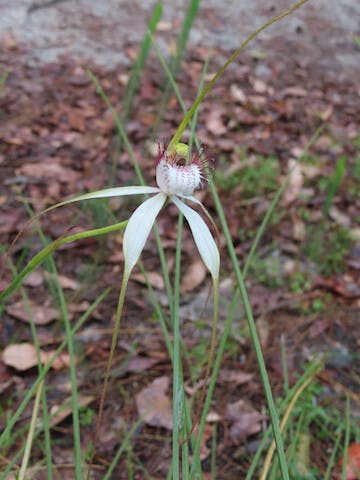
[[154, 405]]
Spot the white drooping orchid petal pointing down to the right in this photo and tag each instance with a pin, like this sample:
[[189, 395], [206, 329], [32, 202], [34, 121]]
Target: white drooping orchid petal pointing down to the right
[[202, 236]]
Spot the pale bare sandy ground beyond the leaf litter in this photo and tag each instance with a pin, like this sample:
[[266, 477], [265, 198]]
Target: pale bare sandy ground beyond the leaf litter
[[322, 32]]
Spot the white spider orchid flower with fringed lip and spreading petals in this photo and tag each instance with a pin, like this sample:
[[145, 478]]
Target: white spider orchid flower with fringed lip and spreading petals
[[175, 182]]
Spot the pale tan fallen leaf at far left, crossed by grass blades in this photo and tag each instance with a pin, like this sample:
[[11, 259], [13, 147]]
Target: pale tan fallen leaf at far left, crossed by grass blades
[[22, 356]]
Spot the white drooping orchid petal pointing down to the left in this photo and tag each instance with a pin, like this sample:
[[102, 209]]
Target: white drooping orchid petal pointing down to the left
[[138, 229]]
